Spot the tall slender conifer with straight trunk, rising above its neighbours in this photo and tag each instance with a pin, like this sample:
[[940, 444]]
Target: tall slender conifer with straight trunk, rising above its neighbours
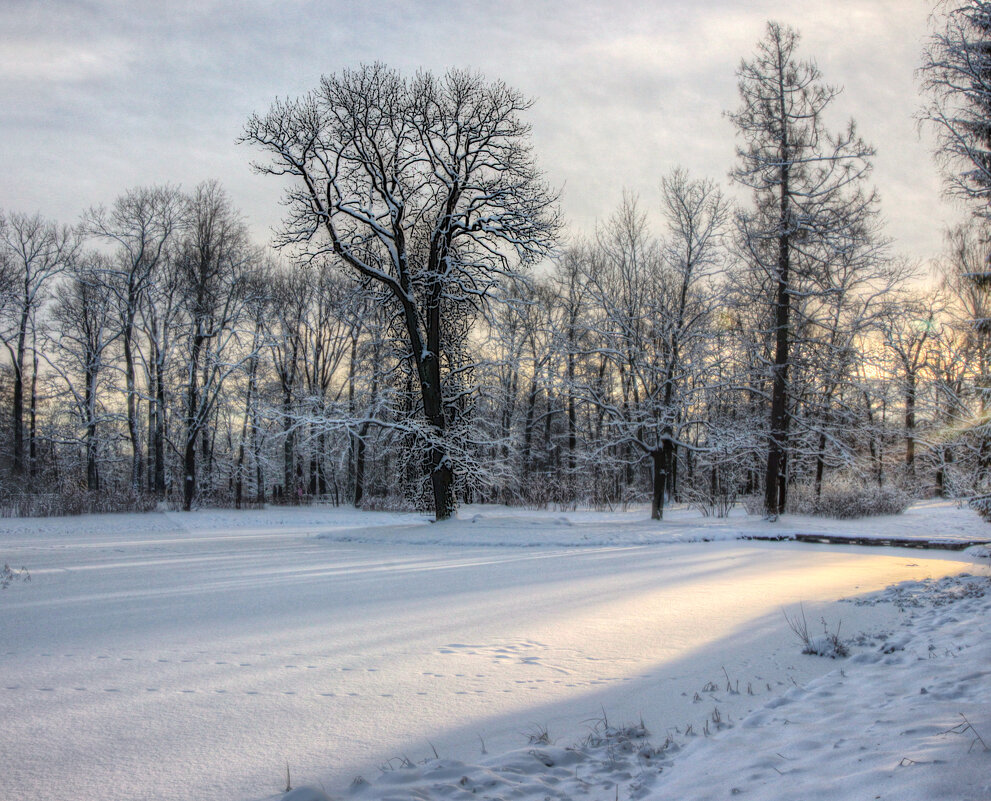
[[806, 202]]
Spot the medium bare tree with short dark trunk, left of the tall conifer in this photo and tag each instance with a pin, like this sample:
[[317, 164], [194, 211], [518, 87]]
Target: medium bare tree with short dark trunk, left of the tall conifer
[[654, 303]]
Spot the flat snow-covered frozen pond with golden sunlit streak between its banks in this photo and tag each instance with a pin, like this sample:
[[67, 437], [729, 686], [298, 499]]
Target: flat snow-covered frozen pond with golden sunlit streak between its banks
[[148, 662]]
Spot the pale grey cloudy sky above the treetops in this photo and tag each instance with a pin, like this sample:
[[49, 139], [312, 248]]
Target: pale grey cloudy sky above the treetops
[[97, 96]]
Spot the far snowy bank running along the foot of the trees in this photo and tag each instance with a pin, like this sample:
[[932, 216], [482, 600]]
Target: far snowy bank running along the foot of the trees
[[500, 526]]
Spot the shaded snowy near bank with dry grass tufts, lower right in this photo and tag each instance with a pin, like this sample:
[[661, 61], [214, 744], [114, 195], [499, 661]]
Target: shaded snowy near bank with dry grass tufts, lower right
[[907, 718]]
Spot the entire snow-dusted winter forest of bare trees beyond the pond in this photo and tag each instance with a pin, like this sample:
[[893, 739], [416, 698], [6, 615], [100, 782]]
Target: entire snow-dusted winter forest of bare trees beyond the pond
[[426, 332]]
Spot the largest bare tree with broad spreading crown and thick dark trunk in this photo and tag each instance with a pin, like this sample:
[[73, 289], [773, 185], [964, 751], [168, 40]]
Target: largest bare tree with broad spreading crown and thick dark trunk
[[424, 186]]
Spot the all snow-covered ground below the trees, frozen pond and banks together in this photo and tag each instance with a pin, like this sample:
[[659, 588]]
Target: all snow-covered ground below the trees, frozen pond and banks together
[[171, 656]]
